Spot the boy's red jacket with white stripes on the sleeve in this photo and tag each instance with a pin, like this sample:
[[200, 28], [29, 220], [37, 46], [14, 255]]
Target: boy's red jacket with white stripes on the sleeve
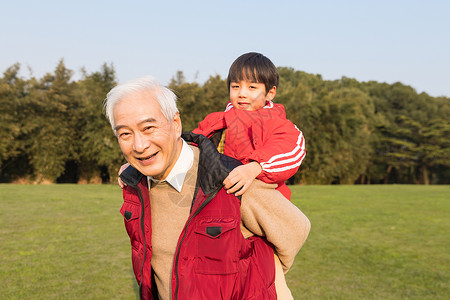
[[265, 136]]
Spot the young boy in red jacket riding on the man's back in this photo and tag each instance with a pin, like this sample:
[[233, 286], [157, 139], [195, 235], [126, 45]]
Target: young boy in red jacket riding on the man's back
[[253, 129]]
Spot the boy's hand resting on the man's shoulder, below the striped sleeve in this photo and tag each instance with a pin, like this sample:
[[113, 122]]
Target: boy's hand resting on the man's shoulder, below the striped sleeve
[[239, 180]]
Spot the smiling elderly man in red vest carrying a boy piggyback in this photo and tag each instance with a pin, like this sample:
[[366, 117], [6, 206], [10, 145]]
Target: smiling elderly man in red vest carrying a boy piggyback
[[189, 238]]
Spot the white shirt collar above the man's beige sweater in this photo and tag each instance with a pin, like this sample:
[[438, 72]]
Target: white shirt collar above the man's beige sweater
[[178, 173]]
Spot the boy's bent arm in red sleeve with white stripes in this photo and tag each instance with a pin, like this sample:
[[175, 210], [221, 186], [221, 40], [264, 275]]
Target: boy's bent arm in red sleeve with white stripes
[[281, 154]]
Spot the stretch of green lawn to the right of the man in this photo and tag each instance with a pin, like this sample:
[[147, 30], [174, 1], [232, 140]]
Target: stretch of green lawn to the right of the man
[[374, 242]]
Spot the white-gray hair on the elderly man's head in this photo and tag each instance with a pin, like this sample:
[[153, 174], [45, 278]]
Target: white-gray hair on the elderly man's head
[[166, 98]]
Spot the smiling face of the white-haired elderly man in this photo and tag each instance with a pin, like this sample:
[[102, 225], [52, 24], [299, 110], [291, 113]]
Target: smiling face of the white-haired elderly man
[[148, 141]]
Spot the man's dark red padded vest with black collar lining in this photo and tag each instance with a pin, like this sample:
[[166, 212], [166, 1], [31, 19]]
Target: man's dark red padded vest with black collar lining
[[212, 260]]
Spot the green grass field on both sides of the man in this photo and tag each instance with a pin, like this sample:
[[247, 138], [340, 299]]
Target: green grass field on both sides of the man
[[366, 242]]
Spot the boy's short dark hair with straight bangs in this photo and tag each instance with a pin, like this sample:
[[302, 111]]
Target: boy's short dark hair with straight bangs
[[253, 67]]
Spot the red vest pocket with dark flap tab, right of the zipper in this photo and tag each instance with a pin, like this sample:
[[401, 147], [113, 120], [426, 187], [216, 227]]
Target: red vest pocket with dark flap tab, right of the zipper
[[217, 251]]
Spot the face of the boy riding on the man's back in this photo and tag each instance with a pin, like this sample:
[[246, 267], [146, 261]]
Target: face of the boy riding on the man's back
[[251, 96]]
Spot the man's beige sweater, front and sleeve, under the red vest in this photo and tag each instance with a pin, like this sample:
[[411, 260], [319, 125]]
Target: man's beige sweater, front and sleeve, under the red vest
[[264, 211]]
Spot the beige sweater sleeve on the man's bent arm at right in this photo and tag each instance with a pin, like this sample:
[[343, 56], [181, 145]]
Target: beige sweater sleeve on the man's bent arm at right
[[266, 212]]
